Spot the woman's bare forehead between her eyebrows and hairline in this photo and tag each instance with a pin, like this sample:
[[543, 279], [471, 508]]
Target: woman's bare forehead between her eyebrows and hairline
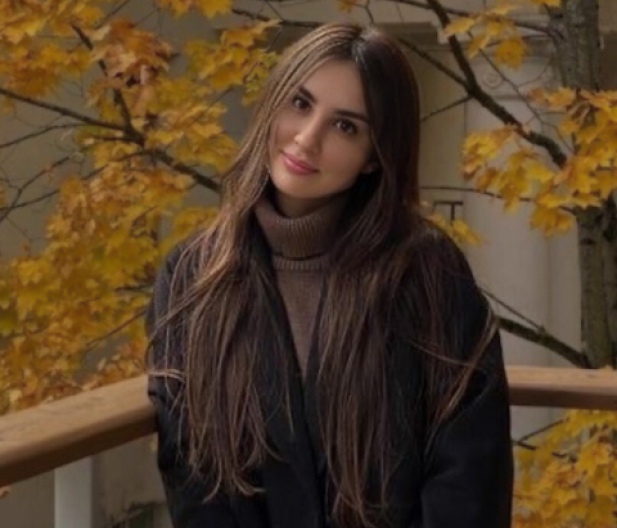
[[337, 85]]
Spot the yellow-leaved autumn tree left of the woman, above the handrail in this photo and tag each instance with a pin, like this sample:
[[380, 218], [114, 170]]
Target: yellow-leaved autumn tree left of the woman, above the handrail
[[138, 138]]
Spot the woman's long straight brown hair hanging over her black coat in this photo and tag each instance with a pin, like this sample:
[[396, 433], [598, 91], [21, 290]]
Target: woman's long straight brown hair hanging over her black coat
[[384, 244]]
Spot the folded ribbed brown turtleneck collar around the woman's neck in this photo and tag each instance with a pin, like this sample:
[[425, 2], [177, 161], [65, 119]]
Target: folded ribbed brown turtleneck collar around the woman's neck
[[300, 238]]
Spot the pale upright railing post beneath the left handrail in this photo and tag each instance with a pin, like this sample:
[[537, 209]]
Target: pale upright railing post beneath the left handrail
[[76, 498]]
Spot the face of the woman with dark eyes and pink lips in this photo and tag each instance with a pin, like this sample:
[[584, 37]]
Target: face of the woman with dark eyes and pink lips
[[320, 139]]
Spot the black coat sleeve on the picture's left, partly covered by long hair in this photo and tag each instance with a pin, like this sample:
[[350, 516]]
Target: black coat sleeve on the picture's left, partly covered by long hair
[[185, 493]]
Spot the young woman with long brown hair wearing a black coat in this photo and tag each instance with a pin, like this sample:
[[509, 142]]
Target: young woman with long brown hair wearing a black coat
[[321, 356]]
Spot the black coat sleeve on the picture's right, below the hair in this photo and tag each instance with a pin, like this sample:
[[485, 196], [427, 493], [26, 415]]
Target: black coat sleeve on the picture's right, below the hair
[[469, 467]]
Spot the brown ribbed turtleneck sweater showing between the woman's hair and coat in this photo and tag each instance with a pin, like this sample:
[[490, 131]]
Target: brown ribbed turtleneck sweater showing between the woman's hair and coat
[[299, 256]]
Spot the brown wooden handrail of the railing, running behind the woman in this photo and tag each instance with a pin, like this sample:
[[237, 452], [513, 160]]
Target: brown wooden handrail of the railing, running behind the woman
[[53, 434]]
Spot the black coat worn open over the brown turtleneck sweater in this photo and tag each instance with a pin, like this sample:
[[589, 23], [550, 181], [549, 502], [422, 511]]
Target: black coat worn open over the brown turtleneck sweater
[[463, 479]]
